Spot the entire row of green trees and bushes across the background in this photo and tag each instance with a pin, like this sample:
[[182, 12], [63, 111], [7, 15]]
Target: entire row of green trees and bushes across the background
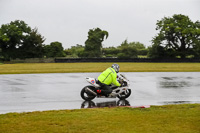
[[178, 37]]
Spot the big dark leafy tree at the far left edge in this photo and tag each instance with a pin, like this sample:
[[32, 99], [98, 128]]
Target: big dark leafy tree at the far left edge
[[18, 40]]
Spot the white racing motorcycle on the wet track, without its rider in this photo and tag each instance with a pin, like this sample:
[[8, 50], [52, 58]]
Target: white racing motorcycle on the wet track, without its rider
[[89, 92]]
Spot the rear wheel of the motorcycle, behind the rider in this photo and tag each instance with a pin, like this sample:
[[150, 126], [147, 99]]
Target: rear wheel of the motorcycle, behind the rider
[[87, 95]]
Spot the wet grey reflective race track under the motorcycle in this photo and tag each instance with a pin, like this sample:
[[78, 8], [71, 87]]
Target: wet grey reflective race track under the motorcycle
[[38, 92]]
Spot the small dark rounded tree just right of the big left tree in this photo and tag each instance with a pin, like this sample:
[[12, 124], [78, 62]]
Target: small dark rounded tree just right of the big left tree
[[55, 49]]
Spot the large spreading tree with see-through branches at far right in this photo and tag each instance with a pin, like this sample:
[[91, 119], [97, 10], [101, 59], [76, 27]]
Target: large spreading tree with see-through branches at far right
[[177, 34]]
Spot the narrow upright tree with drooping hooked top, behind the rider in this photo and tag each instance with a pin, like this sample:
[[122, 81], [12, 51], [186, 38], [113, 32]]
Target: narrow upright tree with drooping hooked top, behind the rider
[[93, 44]]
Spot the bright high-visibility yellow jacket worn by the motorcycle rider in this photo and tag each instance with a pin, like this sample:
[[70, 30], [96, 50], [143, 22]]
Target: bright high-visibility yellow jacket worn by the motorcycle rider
[[108, 77]]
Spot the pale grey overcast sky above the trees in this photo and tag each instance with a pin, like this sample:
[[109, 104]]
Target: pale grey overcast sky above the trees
[[68, 21]]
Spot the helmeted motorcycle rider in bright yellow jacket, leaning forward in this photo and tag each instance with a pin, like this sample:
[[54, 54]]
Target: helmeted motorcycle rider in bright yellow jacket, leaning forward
[[106, 78]]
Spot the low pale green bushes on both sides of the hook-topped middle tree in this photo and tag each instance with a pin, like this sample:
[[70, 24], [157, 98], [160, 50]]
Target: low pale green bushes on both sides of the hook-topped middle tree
[[125, 50]]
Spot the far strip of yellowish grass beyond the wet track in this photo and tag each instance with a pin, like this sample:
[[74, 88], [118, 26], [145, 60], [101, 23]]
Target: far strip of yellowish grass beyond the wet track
[[23, 68]]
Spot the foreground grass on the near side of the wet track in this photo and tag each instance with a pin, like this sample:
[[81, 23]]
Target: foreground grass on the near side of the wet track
[[157, 119]]
